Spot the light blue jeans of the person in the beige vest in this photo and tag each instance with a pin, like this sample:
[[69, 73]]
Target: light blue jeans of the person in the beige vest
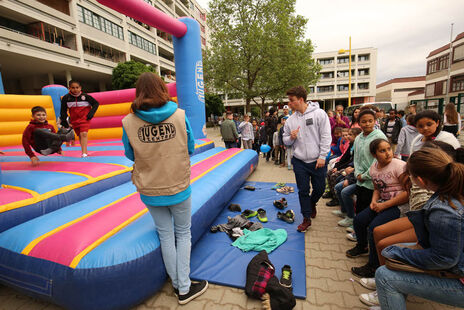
[[175, 238]]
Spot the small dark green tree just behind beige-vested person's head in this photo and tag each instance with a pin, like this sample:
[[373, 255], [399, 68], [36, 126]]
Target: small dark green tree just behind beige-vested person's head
[[125, 74]]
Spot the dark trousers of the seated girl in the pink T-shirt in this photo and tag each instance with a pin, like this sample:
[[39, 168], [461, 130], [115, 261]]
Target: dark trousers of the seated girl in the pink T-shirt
[[364, 224]]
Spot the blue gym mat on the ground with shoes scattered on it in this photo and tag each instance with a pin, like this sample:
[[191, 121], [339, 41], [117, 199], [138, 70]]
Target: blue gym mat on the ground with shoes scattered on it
[[215, 259]]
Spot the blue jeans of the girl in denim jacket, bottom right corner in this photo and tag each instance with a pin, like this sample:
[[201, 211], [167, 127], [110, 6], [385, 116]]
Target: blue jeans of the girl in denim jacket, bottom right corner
[[394, 286]]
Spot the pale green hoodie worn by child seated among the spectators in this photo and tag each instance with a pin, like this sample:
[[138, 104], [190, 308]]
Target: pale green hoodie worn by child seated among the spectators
[[363, 158]]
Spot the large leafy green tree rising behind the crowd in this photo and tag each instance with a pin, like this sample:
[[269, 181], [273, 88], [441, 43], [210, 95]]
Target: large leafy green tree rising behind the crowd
[[258, 49]]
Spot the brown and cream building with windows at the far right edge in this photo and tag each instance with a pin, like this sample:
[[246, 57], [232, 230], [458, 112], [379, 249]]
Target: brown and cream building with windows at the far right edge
[[442, 80]]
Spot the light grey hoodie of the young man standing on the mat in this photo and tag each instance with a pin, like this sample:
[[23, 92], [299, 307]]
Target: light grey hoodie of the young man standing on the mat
[[314, 136]]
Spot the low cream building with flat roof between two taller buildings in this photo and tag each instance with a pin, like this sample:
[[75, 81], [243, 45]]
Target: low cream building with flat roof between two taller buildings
[[397, 90]]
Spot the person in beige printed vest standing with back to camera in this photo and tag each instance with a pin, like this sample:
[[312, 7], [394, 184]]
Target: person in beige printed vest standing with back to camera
[[158, 138]]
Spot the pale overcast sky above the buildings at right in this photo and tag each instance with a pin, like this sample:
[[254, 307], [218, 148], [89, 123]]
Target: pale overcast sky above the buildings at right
[[403, 31]]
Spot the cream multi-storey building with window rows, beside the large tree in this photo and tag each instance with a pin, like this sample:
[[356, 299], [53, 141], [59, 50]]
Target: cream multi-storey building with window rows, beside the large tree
[[332, 87]]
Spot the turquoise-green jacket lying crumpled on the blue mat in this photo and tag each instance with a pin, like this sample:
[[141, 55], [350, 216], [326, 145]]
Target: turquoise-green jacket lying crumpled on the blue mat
[[263, 239]]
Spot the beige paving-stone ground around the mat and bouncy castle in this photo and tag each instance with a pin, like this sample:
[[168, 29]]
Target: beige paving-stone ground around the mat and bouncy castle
[[330, 285]]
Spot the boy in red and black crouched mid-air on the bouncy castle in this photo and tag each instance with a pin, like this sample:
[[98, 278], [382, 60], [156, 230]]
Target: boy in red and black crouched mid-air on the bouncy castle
[[42, 137]]
